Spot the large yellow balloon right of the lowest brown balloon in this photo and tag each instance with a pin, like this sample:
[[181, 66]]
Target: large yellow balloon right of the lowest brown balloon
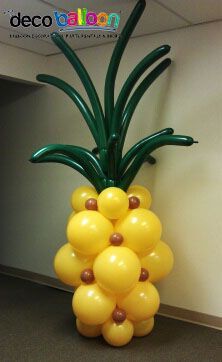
[[140, 303]]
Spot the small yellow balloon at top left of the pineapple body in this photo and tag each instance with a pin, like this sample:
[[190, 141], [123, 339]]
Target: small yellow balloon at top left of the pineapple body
[[81, 195]]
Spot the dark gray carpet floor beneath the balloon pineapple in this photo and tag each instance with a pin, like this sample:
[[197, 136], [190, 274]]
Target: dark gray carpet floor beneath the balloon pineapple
[[37, 324]]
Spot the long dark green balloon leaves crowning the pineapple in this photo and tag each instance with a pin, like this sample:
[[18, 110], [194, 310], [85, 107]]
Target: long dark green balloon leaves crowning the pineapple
[[109, 127]]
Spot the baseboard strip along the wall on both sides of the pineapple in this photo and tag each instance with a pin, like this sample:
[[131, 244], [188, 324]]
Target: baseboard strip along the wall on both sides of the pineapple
[[165, 310]]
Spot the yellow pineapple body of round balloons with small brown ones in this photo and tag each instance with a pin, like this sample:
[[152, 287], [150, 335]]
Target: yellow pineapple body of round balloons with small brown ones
[[113, 256]]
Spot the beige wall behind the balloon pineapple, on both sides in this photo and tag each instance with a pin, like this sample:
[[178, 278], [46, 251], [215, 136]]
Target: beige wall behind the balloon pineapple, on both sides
[[185, 183]]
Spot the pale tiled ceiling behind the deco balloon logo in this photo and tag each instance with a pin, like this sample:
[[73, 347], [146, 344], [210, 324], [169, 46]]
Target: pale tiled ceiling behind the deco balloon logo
[[159, 16]]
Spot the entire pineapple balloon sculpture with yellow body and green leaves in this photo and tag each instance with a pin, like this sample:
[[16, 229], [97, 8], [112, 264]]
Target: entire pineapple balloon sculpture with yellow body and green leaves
[[114, 252]]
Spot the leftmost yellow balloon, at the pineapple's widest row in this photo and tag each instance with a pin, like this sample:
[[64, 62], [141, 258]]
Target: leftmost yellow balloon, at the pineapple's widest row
[[68, 265]]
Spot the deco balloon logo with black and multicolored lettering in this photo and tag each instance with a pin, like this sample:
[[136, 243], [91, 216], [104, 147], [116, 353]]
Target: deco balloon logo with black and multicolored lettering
[[71, 21]]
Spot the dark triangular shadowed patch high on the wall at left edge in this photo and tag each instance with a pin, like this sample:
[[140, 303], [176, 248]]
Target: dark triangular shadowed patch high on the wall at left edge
[[11, 90]]
